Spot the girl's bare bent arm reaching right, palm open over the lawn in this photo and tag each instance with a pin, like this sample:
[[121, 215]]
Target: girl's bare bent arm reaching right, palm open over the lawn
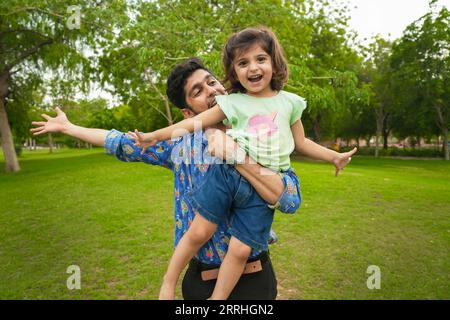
[[318, 152]]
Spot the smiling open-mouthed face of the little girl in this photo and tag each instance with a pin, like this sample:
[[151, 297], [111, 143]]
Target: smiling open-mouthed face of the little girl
[[253, 69]]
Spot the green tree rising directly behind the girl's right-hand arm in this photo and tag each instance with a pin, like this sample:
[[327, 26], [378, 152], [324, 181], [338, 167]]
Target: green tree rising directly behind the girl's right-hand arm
[[329, 79]]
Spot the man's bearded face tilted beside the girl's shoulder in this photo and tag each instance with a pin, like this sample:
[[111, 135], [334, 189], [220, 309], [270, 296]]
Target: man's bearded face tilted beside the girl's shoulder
[[201, 89]]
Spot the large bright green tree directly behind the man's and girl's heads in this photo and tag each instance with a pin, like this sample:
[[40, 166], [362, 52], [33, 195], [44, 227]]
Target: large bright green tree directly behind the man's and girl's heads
[[165, 33]]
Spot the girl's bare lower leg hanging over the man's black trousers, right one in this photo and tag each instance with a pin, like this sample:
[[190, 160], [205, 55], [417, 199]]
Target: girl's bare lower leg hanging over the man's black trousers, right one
[[231, 269]]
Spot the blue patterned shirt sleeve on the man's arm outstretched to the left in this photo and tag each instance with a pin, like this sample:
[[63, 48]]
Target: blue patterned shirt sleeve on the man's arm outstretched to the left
[[117, 143]]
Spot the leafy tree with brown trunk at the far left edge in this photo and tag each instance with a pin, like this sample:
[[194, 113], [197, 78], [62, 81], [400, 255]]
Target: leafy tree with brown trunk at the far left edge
[[39, 37]]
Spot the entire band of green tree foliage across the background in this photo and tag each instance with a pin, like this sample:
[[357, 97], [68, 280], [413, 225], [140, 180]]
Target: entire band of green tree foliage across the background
[[129, 48]]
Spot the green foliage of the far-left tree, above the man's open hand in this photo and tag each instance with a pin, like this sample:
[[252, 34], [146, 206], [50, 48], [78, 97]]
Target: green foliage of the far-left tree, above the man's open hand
[[42, 55]]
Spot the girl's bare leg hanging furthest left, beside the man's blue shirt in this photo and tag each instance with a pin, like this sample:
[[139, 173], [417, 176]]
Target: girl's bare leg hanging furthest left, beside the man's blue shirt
[[200, 231]]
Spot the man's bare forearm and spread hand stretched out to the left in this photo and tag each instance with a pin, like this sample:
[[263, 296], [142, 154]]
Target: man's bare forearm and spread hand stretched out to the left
[[61, 124]]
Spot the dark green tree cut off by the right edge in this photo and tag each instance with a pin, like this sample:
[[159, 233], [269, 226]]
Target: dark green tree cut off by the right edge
[[421, 64]]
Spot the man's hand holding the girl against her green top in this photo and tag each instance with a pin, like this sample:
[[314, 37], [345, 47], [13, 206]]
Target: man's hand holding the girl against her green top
[[224, 147]]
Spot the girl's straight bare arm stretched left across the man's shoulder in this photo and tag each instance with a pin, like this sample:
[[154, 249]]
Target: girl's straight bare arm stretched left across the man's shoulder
[[203, 120]]
